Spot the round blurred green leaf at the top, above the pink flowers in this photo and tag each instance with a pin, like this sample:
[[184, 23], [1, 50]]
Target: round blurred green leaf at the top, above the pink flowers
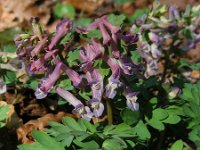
[[64, 10]]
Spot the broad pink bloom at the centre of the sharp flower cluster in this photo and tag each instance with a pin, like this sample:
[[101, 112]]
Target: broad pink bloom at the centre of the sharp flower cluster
[[90, 53]]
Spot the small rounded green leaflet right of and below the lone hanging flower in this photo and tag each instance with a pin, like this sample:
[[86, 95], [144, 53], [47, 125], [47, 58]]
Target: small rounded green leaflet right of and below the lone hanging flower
[[160, 114]]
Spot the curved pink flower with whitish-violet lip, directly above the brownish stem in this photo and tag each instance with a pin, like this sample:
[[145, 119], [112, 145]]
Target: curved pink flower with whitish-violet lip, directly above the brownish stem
[[113, 80]]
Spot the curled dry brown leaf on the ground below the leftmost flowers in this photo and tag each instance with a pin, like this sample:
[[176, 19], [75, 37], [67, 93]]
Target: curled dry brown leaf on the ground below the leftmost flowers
[[24, 132]]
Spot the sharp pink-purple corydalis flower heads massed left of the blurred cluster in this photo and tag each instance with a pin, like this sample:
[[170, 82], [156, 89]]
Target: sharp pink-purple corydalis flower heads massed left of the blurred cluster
[[42, 54]]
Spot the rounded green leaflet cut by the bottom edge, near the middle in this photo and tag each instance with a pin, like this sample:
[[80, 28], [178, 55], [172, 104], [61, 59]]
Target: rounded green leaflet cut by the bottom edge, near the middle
[[111, 144]]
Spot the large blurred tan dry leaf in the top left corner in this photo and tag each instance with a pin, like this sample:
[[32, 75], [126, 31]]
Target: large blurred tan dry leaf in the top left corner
[[17, 12]]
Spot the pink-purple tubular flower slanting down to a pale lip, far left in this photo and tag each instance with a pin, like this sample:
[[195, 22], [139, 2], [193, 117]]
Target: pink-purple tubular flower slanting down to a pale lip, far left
[[47, 83]]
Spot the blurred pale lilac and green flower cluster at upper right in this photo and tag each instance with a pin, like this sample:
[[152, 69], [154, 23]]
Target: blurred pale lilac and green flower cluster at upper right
[[166, 29]]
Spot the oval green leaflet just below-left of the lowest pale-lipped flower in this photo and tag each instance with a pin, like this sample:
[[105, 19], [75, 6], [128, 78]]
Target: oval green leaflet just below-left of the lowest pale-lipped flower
[[71, 123]]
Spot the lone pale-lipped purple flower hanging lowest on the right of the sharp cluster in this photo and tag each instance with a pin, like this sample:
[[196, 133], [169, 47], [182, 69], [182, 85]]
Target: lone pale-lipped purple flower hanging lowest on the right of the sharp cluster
[[131, 98]]
